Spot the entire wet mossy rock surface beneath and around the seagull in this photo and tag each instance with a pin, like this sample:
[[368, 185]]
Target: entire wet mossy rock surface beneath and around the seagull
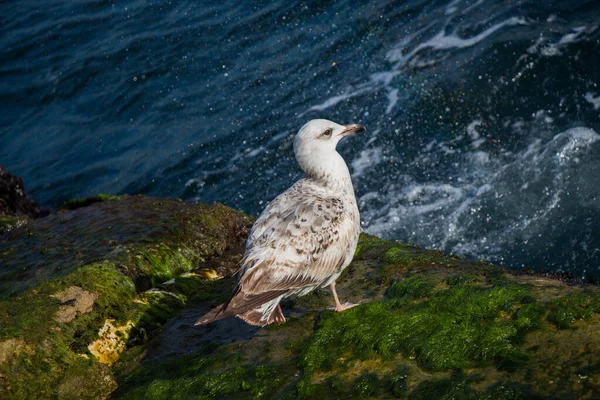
[[100, 301]]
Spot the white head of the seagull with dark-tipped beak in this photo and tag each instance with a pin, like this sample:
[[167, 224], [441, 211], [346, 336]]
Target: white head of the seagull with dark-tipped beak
[[314, 147]]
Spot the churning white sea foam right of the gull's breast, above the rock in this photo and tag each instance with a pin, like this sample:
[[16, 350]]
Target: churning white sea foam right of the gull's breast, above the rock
[[478, 211]]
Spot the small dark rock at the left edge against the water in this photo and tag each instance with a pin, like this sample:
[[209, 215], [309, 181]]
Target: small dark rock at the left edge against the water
[[13, 199]]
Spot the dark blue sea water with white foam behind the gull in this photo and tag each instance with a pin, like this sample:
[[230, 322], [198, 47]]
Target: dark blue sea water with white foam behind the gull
[[482, 116]]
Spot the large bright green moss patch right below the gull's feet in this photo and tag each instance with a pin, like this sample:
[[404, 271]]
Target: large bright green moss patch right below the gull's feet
[[460, 327]]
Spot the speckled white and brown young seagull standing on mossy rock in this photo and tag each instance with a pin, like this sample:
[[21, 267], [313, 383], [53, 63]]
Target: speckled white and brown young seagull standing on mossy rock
[[304, 238]]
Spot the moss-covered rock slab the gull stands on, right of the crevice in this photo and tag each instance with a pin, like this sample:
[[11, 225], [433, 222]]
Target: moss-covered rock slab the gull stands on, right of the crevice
[[430, 326]]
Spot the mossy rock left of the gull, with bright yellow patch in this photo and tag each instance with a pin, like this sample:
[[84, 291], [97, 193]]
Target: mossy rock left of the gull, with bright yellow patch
[[81, 287]]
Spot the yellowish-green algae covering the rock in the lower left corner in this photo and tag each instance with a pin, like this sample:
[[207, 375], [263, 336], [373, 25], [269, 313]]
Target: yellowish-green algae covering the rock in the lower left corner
[[44, 371]]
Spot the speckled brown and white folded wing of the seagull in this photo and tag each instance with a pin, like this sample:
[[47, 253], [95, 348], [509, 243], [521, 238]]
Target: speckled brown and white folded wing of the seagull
[[301, 239]]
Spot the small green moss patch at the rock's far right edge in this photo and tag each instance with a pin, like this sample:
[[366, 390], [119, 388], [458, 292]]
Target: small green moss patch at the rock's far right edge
[[564, 312]]
